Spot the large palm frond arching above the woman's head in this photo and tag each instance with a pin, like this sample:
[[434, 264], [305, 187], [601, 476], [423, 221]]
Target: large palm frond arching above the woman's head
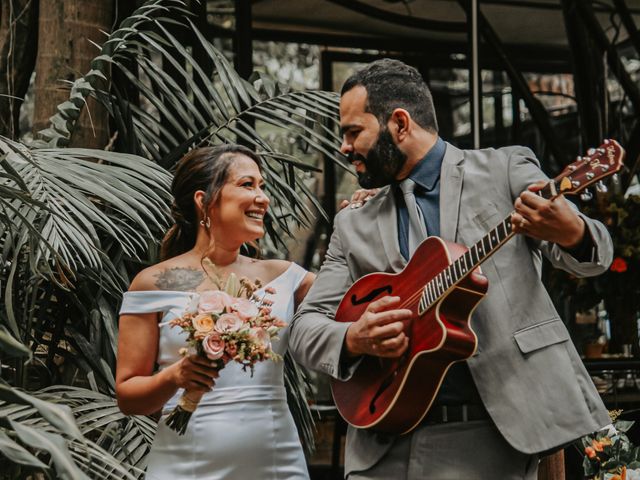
[[169, 113]]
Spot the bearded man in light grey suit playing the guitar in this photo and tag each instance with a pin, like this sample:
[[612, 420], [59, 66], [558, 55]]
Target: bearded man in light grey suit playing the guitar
[[525, 391]]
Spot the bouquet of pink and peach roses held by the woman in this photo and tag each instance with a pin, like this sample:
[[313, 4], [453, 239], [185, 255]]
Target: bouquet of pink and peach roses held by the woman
[[231, 324]]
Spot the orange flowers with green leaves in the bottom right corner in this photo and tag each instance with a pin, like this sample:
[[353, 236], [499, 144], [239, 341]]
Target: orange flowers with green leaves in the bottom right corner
[[608, 453]]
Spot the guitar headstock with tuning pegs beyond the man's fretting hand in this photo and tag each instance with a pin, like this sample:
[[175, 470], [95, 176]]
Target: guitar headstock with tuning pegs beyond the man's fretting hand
[[597, 164]]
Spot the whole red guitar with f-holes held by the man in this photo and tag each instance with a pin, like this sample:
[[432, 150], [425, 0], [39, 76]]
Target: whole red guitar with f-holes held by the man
[[442, 285]]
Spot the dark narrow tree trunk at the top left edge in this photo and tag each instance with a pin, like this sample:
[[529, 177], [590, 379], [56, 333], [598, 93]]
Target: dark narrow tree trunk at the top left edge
[[18, 21]]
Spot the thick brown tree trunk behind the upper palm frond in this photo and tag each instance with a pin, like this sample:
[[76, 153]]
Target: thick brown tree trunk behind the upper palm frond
[[65, 51]]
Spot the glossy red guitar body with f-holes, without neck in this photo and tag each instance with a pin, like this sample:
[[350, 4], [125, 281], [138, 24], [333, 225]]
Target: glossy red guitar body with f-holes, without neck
[[394, 395]]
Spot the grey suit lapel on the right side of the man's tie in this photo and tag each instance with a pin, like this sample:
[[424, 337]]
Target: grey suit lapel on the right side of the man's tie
[[451, 177]]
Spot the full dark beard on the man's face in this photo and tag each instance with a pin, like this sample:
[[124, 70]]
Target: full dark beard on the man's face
[[382, 163]]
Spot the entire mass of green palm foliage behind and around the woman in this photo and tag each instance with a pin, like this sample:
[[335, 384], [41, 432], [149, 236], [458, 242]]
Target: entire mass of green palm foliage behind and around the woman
[[76, 224]]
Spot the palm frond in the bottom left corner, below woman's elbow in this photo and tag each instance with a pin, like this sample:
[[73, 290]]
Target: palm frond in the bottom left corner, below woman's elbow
[[106, 444]]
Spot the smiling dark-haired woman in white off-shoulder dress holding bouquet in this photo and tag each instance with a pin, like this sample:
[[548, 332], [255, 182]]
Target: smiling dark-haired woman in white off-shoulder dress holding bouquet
[[242, 427]]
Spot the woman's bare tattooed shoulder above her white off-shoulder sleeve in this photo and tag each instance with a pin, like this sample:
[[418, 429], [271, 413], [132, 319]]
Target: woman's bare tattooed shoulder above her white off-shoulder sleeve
[[177, 274]]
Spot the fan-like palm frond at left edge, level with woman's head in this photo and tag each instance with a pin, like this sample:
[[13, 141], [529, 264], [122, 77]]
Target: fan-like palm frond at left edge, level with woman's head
[[68, 201]]
